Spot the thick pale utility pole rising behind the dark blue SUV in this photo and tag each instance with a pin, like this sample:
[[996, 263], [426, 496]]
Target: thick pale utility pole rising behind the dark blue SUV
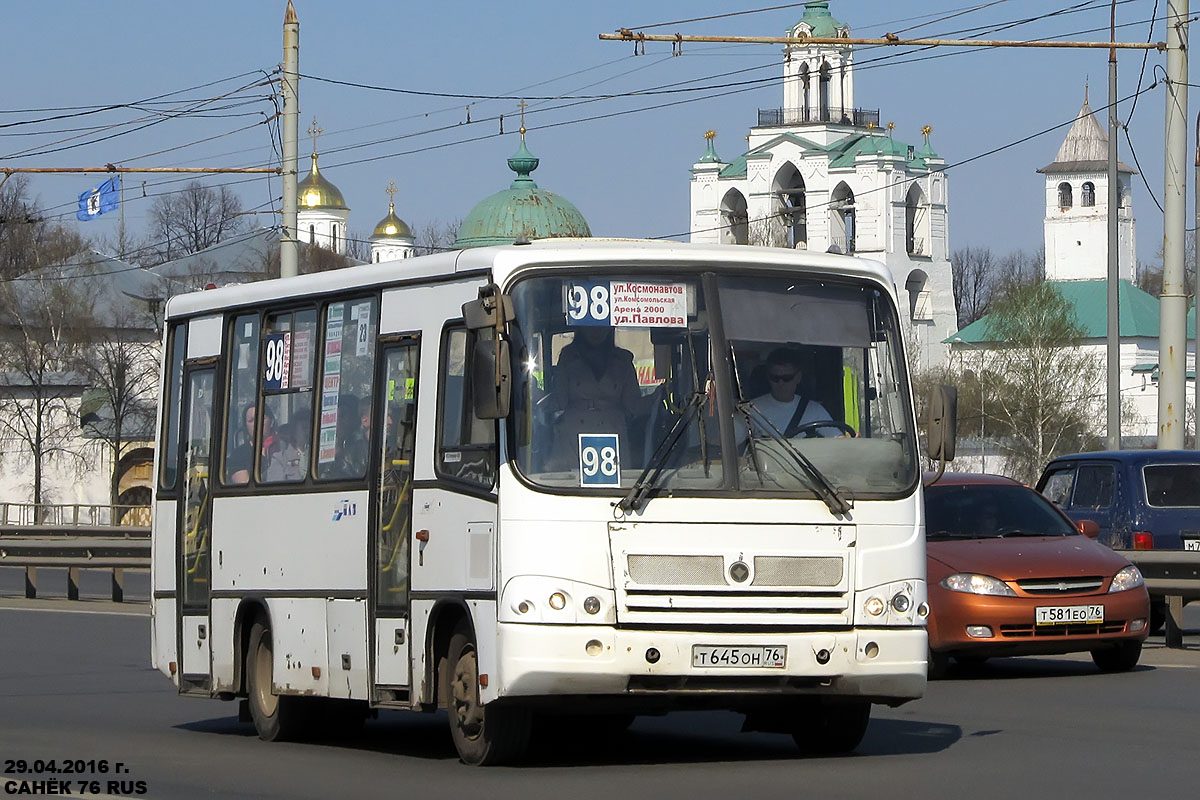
[[1174, 304]]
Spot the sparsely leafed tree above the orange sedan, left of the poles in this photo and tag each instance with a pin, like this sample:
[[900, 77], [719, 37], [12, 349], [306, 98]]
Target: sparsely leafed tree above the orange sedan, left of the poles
[[1042, 389]]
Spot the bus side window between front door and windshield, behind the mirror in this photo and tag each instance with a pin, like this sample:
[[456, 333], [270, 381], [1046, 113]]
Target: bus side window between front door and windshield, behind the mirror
[[467, 447]]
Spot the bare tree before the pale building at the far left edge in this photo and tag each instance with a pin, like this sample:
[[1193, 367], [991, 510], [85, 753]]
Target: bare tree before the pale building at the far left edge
[[46, 324]]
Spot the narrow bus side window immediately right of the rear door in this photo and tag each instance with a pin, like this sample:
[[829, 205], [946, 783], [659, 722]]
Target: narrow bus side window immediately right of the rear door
[[243, 401]]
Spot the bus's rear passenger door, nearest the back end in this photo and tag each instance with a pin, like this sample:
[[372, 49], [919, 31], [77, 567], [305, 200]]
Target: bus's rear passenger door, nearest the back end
[[195, 518]]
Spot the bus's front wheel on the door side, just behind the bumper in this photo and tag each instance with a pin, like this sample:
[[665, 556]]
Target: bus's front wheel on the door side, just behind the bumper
[[483, 735]]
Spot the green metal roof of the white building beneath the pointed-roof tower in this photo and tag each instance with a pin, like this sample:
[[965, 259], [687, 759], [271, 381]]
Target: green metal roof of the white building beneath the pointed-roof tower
[[1089, 299]]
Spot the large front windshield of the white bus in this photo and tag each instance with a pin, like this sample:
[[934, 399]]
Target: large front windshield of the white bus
[[796, 386]]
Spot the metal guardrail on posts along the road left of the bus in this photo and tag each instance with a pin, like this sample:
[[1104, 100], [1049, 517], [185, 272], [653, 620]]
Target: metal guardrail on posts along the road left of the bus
[[68, 539]]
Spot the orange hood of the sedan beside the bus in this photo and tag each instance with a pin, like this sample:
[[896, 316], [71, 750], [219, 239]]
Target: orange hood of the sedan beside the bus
[[1028, 557]]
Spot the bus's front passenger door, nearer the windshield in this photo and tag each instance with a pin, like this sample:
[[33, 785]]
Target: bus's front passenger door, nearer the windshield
[[394, 512]]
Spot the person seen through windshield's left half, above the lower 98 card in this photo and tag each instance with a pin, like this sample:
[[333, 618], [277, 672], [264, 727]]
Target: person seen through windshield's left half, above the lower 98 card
[[598, 392]]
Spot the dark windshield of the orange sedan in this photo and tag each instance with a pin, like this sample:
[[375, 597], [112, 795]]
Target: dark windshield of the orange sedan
[[991, 512]]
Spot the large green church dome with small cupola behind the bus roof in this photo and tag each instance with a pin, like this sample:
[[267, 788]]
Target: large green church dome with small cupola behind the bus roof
[[521, 213]]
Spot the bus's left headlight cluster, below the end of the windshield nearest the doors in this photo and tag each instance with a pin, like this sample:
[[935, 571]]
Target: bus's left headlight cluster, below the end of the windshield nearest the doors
[[537, 599]]
